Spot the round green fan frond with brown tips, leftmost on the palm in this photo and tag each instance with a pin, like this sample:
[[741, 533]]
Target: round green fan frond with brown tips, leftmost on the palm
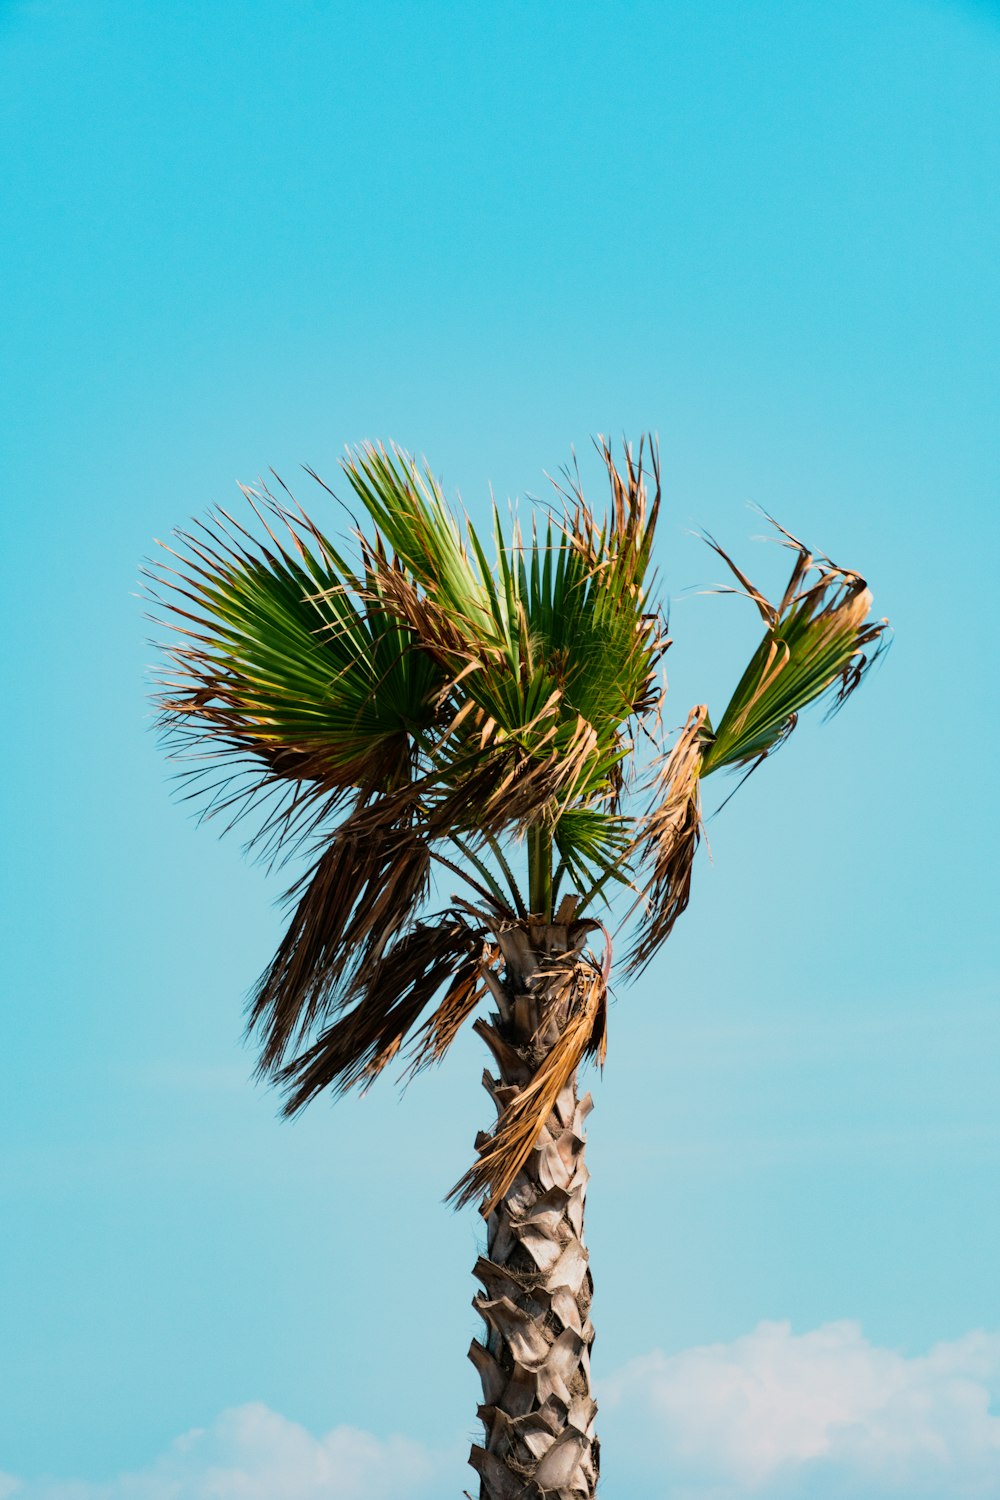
[[280, 655]]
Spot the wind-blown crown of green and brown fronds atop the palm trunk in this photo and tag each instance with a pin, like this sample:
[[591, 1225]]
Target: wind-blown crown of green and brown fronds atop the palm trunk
[[454, 698]]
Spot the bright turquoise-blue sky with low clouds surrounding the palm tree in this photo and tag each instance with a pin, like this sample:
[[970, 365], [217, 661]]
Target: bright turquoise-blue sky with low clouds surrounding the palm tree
[[242, 236]]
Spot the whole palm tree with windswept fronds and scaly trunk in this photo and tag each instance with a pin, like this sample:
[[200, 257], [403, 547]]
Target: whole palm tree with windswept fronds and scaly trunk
[[452, 709]]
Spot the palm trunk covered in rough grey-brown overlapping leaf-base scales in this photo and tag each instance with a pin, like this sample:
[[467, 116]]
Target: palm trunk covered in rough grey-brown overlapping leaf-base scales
[[536, 1301]]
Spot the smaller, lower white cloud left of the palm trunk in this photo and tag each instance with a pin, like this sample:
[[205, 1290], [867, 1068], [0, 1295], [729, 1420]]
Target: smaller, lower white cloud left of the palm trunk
[[254, 1454]]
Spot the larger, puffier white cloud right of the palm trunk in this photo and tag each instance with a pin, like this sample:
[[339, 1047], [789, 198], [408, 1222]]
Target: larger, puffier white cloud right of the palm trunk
[[813, 1415]]
